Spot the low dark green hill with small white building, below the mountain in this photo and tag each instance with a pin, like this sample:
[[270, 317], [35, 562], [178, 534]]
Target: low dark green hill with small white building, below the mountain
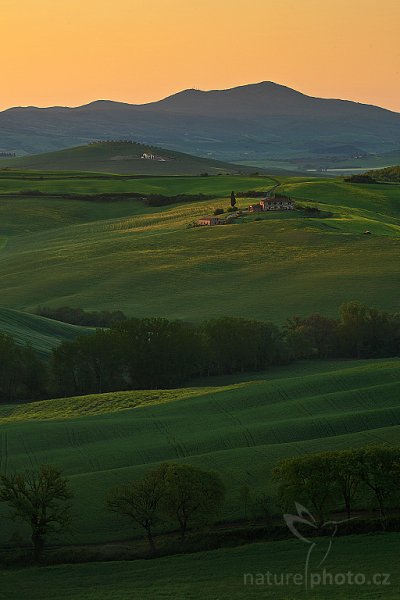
[[115, 157]]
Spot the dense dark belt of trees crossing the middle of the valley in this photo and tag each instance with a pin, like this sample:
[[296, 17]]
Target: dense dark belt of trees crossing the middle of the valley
[[157, 353]]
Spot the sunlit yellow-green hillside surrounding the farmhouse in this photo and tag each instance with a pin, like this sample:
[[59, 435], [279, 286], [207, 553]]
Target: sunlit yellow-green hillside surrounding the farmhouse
[[147, 262]]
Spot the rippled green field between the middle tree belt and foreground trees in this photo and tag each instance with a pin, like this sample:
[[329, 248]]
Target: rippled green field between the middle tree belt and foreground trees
[[240, 428]]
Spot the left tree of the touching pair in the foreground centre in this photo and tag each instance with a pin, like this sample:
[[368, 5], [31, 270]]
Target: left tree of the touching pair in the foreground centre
[[140, 500]]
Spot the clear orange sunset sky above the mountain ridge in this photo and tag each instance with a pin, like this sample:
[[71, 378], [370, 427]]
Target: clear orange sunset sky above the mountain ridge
[[70, 52]]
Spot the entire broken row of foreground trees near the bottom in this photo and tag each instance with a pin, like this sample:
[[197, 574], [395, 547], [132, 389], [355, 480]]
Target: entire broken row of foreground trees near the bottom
[[178, 496]]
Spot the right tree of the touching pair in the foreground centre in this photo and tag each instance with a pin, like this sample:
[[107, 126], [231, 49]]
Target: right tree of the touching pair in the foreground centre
[[191, 492]]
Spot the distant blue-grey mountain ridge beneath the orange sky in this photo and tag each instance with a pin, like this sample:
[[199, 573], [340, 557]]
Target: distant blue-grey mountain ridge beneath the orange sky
[[264, 119]]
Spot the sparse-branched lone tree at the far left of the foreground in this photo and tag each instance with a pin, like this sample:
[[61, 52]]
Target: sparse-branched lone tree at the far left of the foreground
[[40, 499]]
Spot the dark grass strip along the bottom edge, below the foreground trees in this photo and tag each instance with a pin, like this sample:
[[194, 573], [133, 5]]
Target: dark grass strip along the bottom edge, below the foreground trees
[[218, 574]]
